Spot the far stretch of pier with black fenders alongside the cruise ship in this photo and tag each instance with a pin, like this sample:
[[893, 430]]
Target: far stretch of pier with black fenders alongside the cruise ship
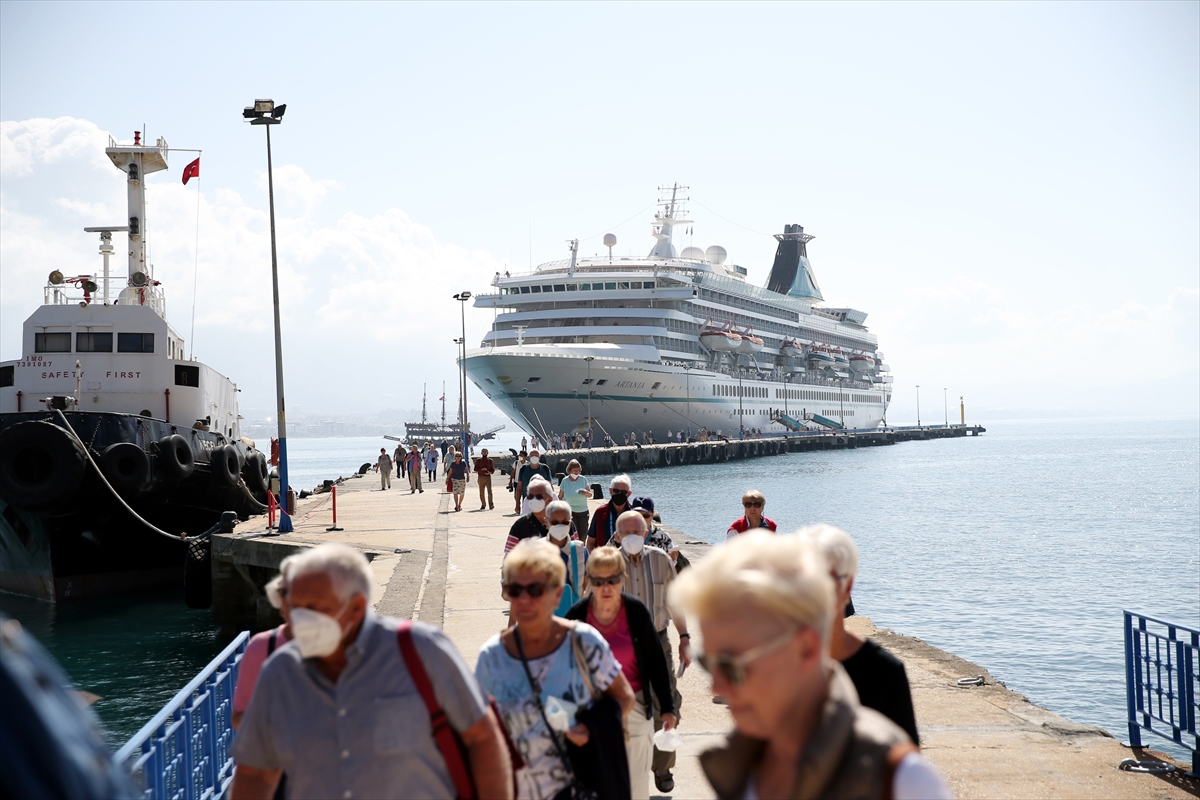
[[607, 461]]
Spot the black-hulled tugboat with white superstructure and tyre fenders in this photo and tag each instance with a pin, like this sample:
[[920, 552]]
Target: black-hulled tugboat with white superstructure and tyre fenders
[[116, 450]]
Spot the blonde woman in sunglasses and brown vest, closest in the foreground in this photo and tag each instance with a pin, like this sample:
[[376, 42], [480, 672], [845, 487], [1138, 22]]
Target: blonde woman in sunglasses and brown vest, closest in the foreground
[[764, 604]]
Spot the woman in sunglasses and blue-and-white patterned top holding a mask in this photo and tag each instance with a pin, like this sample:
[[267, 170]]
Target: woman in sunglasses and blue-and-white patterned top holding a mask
[[533, 670]]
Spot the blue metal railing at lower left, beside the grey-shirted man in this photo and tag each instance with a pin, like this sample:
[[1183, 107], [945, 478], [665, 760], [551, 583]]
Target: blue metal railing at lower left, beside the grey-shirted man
[[183, 754]]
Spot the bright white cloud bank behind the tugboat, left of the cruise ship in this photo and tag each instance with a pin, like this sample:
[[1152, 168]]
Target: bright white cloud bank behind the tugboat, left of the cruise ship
[[367, 302]]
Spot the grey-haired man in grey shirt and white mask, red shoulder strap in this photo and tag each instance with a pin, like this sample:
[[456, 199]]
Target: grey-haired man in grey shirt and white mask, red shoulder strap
[[338, 711]]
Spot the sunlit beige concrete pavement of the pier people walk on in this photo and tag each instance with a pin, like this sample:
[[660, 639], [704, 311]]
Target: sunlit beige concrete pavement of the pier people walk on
[[988, 741]]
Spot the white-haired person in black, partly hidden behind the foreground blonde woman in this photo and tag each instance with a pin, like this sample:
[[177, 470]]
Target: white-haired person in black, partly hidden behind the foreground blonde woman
[[879, 676]]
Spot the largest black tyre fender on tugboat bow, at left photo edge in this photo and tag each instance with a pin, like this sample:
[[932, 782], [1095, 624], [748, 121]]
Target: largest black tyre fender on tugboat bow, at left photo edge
[[40, 465]]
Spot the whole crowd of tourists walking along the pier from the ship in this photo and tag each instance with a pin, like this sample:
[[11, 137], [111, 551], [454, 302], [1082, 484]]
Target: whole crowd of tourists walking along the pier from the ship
[[578, 697]]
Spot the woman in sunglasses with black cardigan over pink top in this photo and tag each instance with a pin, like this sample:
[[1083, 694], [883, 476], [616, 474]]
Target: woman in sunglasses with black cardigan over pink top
[[628, 627]]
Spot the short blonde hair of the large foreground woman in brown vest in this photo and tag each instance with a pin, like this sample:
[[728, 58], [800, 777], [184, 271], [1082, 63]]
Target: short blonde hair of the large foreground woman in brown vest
[[781, 576]]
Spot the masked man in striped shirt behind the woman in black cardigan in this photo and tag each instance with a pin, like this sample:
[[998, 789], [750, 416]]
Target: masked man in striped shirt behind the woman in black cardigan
[[650, 573]]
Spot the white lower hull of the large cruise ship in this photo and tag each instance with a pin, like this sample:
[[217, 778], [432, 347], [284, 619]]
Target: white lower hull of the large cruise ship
[[640, 398]]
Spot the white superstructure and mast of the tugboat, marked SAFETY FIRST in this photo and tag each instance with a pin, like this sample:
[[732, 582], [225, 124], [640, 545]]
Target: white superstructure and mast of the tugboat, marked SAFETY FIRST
[[112, 350]]
